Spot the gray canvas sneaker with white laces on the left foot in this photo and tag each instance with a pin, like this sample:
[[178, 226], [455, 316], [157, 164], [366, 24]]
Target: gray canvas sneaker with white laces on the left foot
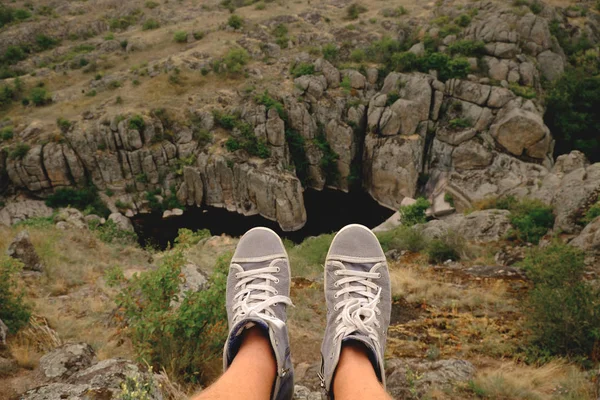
[[258, 290]]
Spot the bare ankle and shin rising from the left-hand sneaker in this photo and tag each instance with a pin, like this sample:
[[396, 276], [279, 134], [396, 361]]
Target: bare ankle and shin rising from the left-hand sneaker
[[251, 374]]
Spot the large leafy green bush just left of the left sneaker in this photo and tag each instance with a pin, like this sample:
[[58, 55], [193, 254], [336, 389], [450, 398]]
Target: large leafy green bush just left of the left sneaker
[[183, 340]]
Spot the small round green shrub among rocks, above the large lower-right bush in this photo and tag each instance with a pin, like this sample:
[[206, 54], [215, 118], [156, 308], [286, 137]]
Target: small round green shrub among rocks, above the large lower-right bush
[[531, 219]]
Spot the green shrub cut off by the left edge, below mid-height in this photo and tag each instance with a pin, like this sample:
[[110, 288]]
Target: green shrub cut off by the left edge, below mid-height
[[15, 313]]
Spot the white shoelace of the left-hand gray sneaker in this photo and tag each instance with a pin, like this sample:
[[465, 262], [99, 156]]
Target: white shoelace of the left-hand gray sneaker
[[256, 294]]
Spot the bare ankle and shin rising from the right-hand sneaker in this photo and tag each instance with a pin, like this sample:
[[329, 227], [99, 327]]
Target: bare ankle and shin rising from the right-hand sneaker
[[355, 377]]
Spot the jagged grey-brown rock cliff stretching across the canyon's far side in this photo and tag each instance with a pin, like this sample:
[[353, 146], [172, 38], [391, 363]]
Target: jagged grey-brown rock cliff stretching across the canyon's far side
[[400, 136]]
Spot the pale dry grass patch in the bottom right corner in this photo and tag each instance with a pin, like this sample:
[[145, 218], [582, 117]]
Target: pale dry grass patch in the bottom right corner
[[555, 380]]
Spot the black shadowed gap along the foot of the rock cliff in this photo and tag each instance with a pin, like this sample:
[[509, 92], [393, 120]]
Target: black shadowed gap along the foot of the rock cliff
[[327, 211]]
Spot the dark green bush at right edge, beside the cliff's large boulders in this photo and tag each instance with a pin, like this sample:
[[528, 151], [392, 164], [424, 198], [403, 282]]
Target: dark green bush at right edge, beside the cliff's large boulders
[[572, 114]]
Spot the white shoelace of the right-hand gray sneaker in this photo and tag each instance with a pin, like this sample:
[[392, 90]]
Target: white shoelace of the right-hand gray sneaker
[[358, 313]]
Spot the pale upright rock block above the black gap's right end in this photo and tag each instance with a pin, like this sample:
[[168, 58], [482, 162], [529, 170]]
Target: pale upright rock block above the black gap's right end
[[392, 167]]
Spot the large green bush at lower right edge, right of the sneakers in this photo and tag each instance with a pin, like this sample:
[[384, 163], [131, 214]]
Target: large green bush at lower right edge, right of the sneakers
[[562, 310]]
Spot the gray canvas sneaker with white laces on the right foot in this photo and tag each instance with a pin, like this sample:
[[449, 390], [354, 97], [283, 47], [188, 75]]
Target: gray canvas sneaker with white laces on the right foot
[[358, 295]]
